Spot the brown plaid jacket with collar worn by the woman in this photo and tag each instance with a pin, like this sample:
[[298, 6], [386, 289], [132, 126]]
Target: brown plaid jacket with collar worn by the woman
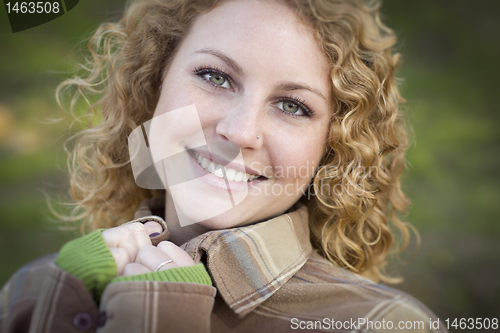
[[267, 279]]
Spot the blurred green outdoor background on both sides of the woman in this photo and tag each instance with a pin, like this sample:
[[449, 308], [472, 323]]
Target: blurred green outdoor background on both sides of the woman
[[450, 67]]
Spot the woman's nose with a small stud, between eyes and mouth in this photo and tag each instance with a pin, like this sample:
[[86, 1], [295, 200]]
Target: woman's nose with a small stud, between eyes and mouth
[[242, 126]]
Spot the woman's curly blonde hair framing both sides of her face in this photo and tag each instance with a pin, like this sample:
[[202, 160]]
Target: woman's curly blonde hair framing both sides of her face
[[366, 143]]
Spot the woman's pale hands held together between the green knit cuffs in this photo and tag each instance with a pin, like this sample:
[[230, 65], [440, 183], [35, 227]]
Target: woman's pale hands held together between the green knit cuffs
[[134, 254]]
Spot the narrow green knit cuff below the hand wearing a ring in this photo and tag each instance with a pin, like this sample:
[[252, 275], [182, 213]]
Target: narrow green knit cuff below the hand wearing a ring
[[190, 274]]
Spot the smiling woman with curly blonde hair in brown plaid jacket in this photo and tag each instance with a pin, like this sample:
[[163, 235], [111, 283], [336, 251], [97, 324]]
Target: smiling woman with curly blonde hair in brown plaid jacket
[[245, 106]]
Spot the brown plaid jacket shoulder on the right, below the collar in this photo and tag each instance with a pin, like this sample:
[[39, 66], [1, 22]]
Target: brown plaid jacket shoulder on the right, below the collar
[[320, 291]]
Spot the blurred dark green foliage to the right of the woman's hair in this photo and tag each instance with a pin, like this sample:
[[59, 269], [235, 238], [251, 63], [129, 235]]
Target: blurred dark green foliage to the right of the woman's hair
[[450, 69]]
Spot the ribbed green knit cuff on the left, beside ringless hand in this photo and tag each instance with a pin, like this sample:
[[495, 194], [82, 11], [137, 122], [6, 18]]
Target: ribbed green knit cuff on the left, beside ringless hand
[[89, 259]]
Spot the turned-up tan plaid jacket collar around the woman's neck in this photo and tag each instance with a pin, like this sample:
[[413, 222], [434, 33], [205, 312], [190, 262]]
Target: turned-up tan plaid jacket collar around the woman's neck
[[249, 264]]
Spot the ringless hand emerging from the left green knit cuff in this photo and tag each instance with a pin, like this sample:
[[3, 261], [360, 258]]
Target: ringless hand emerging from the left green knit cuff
[[131, 237]]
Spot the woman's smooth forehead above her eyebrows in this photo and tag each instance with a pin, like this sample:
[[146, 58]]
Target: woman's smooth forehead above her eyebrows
[[260, 34]]
